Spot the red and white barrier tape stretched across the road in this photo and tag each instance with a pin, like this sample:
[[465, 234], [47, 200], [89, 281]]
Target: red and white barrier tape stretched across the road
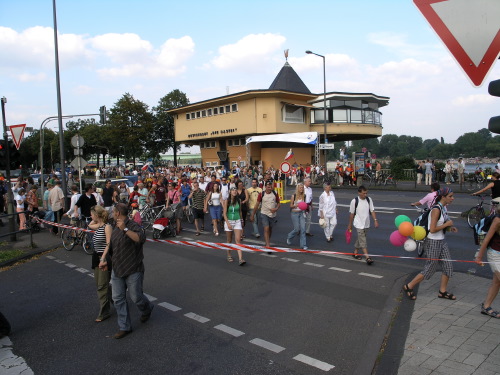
[[256, 248]]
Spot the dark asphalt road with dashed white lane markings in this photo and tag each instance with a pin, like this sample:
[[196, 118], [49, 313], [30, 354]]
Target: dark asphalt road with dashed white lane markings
[[280, 314]]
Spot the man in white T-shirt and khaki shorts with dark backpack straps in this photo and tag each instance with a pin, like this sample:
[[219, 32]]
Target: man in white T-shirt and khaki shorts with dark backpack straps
[[360, 210]]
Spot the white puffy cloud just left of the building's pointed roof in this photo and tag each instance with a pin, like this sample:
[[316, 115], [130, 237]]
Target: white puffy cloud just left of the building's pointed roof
[[252, 52]]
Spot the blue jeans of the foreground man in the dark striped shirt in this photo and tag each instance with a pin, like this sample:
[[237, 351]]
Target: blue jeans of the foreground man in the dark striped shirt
[[120, 285]]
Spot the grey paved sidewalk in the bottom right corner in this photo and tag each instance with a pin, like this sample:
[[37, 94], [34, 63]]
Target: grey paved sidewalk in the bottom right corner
[[452, 337]]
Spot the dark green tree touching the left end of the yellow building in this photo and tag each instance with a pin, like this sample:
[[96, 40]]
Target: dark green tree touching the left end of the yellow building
[[163, 138]]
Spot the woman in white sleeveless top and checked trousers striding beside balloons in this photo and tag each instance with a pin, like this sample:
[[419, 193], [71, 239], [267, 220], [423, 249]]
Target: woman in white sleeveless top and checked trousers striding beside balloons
[[436, 247]]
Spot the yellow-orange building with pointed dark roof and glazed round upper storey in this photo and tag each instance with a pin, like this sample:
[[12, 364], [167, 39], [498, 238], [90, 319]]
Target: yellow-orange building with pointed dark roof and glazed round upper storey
[[221, 126]]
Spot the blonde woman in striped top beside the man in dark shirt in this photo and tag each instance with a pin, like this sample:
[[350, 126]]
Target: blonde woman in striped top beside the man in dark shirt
[[101, 257]]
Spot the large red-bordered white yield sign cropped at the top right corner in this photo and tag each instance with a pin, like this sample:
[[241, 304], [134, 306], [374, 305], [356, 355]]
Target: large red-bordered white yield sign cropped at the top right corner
[[470, 29]]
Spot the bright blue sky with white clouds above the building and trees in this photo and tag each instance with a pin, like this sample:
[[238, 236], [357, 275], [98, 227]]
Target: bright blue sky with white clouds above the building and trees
[[208, 49]]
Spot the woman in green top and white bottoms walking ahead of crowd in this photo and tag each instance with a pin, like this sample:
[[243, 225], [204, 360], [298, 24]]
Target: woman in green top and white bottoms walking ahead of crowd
[[232, 222]]
